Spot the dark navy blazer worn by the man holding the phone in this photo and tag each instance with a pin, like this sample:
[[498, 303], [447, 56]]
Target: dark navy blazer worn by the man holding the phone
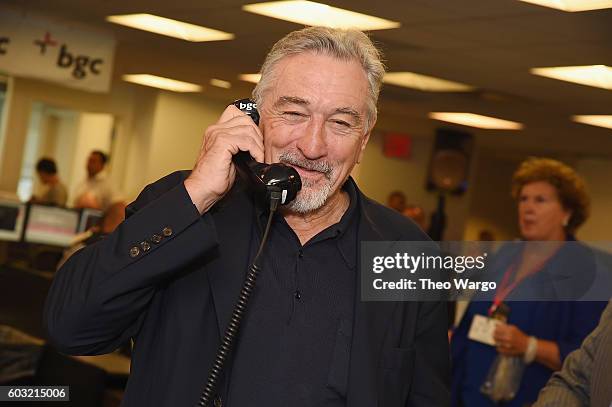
[[174, 297]]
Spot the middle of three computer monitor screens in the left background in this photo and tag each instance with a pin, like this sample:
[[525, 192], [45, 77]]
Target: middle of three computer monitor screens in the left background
[[51, 225]]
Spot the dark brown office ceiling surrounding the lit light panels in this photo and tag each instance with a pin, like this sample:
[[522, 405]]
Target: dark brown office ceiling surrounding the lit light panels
[[490, 44]]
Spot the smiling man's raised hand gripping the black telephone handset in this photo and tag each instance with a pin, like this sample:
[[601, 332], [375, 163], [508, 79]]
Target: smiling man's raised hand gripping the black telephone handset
[[214, 173]]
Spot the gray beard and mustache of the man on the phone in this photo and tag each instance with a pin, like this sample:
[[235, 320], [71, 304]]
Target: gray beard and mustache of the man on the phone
[[309, 199]]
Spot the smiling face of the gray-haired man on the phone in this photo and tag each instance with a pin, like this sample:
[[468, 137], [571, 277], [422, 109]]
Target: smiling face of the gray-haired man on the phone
[[313, 118]]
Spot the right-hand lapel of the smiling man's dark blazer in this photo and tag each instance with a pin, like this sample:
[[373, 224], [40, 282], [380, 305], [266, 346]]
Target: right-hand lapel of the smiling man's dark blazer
[[370, 321]]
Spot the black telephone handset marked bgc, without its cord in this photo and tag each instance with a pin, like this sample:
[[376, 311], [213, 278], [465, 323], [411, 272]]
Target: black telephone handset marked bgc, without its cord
[[268, 180]]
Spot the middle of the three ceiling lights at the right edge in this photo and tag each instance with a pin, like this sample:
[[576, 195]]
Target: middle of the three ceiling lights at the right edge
[[599, 76]]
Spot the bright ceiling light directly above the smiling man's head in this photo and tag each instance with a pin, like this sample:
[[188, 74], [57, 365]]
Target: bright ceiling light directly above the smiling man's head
[[318, 14]]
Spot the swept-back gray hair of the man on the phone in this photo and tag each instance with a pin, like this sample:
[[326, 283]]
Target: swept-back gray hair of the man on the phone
[[341, 44]]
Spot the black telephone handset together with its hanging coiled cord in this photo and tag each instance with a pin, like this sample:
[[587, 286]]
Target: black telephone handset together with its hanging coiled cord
[[278, 184]]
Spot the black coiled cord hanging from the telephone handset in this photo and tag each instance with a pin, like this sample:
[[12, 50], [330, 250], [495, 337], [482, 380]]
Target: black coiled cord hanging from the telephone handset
[[225, 347]]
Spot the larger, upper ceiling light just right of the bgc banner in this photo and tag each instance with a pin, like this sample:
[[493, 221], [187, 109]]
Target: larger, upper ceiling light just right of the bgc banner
[[169, 27]]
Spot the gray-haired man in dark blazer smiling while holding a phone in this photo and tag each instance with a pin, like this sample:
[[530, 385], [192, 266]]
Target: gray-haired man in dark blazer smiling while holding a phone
[[169, 276]]
